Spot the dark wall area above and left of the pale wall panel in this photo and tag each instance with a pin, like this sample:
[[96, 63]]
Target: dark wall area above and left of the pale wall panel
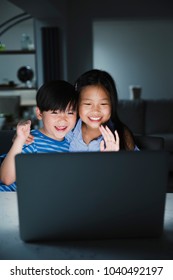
[[83, 14]]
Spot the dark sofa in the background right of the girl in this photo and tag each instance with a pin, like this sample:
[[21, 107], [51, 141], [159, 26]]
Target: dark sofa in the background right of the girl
[[150, 118]]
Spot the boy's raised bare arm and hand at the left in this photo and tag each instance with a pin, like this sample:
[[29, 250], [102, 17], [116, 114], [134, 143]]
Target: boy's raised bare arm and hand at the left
[[8, 171]]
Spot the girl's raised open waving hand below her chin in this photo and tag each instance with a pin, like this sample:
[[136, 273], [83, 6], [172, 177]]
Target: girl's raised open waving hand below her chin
[[110, 142]]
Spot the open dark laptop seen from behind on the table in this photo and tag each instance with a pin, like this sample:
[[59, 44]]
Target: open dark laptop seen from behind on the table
[[74, 196]]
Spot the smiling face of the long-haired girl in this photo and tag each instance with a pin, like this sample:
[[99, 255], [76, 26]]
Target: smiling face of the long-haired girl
[[94, 106]]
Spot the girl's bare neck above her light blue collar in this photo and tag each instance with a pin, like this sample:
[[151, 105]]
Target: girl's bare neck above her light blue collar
[[89, 134]]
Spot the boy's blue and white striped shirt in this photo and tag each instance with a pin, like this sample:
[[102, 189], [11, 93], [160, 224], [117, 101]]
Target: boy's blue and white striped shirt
[[41, 144]]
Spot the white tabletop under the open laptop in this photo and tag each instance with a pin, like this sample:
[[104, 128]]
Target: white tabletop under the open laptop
[[12, 247]]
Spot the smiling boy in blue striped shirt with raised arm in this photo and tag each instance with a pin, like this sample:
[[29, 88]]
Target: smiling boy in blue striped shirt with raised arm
[[57, 109]]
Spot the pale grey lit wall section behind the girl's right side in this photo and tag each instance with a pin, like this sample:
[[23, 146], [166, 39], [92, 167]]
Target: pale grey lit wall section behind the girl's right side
[[136, 53]]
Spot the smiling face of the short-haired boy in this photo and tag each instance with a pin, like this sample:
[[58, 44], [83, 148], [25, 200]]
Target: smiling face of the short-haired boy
[[56, 124]]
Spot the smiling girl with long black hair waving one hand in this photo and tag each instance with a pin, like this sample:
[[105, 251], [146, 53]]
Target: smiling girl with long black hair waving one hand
[[98, 126]]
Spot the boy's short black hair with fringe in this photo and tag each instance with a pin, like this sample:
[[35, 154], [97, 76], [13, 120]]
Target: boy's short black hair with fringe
[[56, 95]]
